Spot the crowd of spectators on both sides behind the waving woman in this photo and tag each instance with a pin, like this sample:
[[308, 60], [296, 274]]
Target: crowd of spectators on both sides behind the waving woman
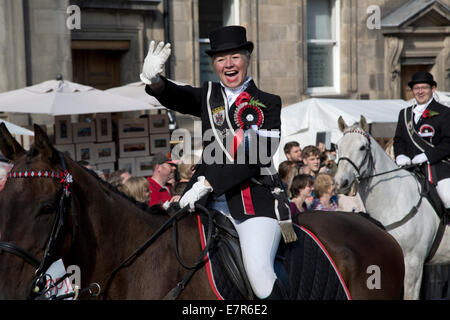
[[307, 176]]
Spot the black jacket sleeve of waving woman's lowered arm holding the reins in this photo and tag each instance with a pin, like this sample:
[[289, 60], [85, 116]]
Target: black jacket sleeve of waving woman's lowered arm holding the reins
[[223, 177]]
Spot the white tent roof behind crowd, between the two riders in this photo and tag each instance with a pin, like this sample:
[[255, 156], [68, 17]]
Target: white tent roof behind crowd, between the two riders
[[303, 120]]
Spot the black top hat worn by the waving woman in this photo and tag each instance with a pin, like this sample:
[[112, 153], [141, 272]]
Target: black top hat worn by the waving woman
[[228, 38]]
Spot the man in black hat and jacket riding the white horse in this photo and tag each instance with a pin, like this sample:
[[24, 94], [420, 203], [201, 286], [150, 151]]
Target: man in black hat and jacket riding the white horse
[[422, 136]]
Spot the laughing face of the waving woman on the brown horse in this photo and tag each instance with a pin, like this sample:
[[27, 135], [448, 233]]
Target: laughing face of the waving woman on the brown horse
[[231, 67]]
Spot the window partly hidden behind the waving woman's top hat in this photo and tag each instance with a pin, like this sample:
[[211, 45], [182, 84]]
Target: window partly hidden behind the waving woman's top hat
[[212, 15]]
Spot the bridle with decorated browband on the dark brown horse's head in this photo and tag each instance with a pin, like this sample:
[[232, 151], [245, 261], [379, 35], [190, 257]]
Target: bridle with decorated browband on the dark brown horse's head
[[57, 231]]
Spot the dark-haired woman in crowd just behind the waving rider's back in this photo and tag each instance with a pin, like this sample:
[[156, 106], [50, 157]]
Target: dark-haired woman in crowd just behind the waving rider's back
[[300, 190]]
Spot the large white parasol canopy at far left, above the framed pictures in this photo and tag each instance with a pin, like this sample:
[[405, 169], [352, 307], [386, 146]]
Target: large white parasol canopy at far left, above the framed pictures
[[57, 97]]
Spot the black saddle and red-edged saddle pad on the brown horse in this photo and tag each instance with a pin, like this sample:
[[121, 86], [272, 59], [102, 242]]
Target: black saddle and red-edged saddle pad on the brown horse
[[303, 267]]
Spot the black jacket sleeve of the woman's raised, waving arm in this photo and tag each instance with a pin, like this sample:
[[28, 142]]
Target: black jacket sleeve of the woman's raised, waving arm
[[184, 99]]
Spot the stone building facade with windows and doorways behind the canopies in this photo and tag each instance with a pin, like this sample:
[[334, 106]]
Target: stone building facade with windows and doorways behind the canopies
[[358, 49]]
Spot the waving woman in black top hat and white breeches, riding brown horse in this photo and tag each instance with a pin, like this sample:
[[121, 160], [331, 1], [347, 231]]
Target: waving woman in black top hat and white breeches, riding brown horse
[[237, 189]]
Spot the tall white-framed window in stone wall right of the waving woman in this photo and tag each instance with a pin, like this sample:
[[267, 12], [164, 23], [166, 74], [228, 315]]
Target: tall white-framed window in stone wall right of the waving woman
[[323, 47]]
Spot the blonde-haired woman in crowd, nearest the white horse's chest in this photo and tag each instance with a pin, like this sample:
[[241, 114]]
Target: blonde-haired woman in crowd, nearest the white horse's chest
[[324, 192]]
